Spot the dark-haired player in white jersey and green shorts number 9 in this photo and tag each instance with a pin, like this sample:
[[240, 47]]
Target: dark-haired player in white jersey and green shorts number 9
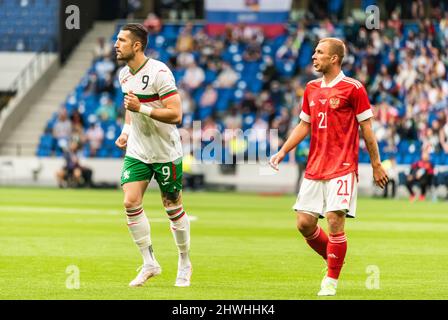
[[153, 148]]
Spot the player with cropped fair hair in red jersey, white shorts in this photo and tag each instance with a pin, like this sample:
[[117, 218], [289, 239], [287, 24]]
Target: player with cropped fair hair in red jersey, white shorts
[[333, 108]]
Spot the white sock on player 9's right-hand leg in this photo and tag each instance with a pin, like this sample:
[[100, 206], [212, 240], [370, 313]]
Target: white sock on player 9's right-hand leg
[[180, 227]]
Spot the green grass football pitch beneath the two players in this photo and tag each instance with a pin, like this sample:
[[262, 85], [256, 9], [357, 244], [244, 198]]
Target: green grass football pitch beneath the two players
[[244, 246]]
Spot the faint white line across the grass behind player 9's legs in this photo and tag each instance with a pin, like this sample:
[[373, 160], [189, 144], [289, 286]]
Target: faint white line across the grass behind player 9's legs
[[77, 211]]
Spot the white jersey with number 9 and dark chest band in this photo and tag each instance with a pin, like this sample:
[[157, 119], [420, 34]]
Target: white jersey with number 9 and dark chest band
[[151, 141]]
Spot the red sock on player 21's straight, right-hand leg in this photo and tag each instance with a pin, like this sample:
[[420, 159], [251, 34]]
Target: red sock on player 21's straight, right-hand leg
[[336, 249]]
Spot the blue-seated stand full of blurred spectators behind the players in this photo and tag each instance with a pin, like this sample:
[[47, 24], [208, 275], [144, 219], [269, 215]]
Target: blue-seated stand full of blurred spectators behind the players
[[409, 93]]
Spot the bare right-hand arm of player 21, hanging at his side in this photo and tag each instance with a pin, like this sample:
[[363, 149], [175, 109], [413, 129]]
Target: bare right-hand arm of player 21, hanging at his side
[[379, 174]]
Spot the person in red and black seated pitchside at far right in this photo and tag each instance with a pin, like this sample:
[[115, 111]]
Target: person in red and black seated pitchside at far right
[[422, 173]]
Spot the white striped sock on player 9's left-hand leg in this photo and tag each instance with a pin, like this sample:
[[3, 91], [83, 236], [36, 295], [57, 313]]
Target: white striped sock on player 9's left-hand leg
[[140, 230]]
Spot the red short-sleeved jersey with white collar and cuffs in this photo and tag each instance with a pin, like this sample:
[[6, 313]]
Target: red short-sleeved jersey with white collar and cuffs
[[334, 112]]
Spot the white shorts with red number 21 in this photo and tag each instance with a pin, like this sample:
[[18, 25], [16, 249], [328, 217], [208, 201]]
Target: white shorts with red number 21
[[317, 197]]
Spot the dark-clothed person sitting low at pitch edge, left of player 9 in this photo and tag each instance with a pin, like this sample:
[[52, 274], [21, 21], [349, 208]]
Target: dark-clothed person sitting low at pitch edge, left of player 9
[[73, 174]]
